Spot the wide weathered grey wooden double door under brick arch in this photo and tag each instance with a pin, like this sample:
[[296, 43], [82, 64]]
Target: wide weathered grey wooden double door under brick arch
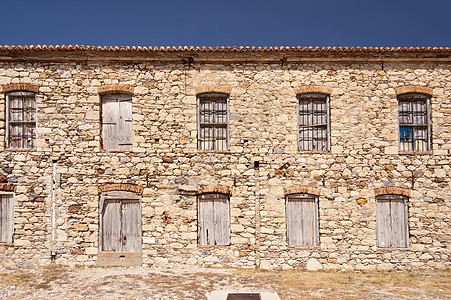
[[121, 226]]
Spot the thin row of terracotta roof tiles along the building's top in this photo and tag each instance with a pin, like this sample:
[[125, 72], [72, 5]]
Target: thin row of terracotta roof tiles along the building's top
[[227, 49]]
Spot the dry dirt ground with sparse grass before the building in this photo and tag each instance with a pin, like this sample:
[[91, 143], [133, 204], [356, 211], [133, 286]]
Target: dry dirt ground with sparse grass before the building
[[63, 282]]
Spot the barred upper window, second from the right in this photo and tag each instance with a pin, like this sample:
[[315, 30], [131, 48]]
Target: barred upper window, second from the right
[[313, 123]]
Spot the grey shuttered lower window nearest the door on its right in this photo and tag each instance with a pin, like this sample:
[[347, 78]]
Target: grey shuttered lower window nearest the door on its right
[[213, 220]]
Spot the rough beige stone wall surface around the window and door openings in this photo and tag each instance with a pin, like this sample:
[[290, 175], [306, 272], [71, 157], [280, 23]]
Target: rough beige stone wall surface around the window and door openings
[[169, 170]]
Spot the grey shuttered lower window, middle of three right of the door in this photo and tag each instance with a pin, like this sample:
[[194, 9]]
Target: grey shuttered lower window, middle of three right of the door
[[302, 220]]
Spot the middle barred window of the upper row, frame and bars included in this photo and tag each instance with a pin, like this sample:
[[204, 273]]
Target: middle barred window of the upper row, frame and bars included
[[213, 122]]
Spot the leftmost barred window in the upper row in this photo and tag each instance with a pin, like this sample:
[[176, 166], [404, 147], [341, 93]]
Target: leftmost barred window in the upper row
[[21, 120]]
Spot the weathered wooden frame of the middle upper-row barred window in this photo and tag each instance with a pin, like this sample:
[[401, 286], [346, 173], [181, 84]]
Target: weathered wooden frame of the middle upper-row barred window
[[214, 124]]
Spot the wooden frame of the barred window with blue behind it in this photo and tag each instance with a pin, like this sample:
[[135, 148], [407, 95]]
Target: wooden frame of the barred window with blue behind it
[[411, 97]]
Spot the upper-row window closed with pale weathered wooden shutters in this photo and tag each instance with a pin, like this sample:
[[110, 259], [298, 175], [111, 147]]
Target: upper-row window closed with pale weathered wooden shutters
[[117, 122]]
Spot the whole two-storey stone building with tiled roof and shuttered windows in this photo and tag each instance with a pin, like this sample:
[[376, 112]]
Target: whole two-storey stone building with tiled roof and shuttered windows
[[273, 158]]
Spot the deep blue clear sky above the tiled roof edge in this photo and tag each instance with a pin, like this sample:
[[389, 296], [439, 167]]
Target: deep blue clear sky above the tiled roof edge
[[377, 23]]
